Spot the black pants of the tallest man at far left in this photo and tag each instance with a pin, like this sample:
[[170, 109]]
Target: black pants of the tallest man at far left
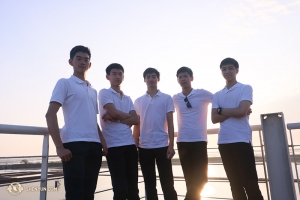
[[81, 172]]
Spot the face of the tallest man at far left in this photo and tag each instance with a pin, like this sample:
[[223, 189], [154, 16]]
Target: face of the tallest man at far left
[[80, 62]]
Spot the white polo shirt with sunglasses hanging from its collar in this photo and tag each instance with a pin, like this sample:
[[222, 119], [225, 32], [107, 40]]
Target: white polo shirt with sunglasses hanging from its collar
[[192, 122]]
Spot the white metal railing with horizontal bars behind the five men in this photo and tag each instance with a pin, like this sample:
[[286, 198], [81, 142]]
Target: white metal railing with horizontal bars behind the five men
[[29, 130]]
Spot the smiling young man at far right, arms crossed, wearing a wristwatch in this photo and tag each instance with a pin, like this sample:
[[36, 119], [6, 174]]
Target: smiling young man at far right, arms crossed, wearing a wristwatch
[[230, 108]]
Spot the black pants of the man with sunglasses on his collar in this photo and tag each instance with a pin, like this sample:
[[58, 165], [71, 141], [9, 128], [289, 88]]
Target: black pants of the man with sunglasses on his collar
[[194, 162]]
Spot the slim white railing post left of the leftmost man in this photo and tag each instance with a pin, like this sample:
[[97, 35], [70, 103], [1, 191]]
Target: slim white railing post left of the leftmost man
[[44, 170]]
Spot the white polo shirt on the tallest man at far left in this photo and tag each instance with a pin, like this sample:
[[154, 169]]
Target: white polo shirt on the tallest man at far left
[[80, 109]]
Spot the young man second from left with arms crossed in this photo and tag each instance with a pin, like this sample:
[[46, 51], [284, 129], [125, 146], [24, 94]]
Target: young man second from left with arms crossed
[[117, 114]]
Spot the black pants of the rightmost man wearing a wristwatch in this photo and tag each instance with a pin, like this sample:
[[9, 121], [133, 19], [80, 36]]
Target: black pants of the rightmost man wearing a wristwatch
[[239, 163]]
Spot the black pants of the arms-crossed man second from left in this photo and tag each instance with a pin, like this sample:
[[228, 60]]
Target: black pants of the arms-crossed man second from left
[[123, 166]]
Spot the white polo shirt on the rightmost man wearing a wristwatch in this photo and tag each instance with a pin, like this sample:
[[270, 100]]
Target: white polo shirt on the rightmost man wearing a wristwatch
[[234, 129]]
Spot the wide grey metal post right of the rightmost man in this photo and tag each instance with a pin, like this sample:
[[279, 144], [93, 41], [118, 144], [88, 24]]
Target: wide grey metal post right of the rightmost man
[[278, 157]]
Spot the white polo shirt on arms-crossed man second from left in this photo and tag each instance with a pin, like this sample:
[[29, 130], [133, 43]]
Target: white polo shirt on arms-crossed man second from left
[[116, 134]]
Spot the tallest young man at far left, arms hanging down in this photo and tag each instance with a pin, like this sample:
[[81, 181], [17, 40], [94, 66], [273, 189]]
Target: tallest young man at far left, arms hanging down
[[78, 142]]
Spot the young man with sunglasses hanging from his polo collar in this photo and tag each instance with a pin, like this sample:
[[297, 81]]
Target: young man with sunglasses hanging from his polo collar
[[191, 107]]
